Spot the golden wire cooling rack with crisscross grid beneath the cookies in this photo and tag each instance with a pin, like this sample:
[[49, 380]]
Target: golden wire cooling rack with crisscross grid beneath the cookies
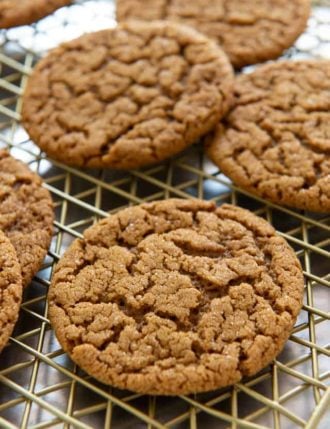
[[39, 386]]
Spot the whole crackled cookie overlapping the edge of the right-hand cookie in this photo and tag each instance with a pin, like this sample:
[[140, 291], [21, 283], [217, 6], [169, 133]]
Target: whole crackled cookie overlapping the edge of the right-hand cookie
[[128, 96]]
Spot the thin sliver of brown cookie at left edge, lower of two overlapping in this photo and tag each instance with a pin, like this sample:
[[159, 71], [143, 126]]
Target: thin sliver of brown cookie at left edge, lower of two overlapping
[[10, 289]]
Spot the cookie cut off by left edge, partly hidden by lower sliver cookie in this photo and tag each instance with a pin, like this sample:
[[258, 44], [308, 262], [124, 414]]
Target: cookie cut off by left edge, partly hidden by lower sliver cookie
[[26, 214]]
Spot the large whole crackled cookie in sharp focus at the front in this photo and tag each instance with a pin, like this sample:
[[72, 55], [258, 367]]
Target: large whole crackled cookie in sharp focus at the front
[[176, 297]]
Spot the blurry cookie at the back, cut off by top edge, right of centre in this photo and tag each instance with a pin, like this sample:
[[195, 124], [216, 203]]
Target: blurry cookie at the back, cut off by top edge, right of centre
[[249, 31]]
